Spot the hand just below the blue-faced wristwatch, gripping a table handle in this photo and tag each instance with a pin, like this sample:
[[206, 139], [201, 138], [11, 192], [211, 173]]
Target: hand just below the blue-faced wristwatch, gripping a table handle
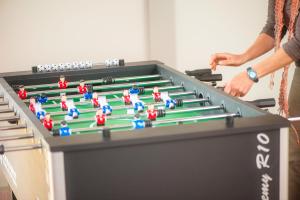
[[239, 86]]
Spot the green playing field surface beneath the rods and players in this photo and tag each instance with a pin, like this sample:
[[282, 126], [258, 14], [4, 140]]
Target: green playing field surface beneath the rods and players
[[122, 116]]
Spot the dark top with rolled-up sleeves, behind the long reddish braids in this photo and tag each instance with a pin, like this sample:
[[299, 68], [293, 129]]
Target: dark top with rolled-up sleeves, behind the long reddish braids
[[292, 47]]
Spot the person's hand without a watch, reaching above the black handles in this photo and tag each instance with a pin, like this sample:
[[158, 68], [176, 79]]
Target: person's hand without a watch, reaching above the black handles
[[226, 59]]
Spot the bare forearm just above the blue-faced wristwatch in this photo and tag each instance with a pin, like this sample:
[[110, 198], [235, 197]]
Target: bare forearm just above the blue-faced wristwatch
[[272, 63]]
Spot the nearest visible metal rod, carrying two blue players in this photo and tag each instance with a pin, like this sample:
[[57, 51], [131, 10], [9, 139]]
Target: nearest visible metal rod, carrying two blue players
[[166, 121]]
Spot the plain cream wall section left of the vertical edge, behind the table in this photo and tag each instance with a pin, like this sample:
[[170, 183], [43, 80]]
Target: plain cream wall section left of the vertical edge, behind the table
[[39, 31]]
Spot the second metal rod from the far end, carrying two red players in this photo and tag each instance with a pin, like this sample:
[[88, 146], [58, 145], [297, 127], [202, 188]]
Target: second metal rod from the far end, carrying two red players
[[101, 87]]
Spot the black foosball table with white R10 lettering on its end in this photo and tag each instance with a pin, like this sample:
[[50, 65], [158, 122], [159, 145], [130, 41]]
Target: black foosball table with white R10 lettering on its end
[[136, 131]]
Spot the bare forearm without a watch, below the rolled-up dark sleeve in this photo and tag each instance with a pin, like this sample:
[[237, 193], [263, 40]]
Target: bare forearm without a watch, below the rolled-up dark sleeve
[[262, 45]]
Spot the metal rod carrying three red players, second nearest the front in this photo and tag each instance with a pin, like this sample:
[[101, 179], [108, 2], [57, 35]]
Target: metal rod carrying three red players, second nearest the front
[[169, 112]]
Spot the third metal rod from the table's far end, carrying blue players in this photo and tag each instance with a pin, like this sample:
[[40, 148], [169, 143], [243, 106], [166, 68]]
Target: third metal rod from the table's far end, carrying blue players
[[117, 92]]
